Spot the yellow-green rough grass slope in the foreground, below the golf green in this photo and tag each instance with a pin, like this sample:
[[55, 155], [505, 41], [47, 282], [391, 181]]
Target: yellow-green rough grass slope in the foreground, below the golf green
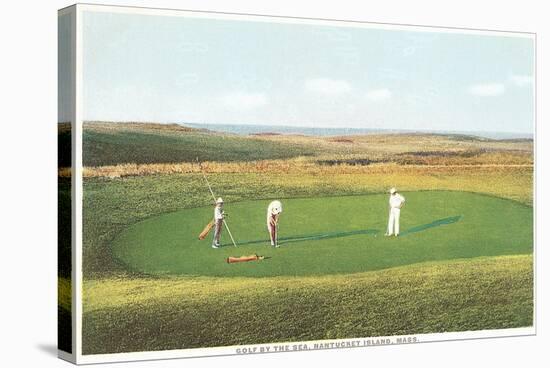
[[125, 315]]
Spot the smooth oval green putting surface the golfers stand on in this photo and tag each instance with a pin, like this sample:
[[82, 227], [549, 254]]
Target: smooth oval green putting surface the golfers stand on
[[329, 235]]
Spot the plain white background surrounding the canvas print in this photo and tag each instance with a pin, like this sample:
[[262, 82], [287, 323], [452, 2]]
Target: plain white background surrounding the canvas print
[[28, 132]]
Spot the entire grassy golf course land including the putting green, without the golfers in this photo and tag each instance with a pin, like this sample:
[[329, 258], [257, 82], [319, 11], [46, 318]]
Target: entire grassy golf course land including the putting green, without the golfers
[[430, 280]]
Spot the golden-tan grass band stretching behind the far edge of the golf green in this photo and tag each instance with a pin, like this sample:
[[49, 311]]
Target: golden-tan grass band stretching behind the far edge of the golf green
[[512, 181]]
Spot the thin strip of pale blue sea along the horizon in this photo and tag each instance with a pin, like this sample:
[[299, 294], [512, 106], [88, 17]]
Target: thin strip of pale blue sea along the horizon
[[248, 129]]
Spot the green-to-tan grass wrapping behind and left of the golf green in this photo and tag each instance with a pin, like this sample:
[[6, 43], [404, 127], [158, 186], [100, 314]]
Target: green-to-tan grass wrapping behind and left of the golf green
[[111, 205]]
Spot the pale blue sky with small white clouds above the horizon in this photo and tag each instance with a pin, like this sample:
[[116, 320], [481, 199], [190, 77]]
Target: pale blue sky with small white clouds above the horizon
[[176, 69]]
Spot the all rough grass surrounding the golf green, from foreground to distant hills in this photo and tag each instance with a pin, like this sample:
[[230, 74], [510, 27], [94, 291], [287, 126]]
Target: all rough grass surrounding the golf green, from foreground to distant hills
[[125, 311]]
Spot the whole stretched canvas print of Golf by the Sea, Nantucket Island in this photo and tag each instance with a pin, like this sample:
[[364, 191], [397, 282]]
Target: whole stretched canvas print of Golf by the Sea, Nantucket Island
[[235, 184]]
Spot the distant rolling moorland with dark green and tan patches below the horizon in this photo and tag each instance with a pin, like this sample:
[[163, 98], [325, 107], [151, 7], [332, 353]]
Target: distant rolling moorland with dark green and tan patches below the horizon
[[110, 144]]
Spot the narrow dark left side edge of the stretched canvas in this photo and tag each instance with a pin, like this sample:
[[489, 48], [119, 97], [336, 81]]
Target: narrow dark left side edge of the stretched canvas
[[66, 102]]
